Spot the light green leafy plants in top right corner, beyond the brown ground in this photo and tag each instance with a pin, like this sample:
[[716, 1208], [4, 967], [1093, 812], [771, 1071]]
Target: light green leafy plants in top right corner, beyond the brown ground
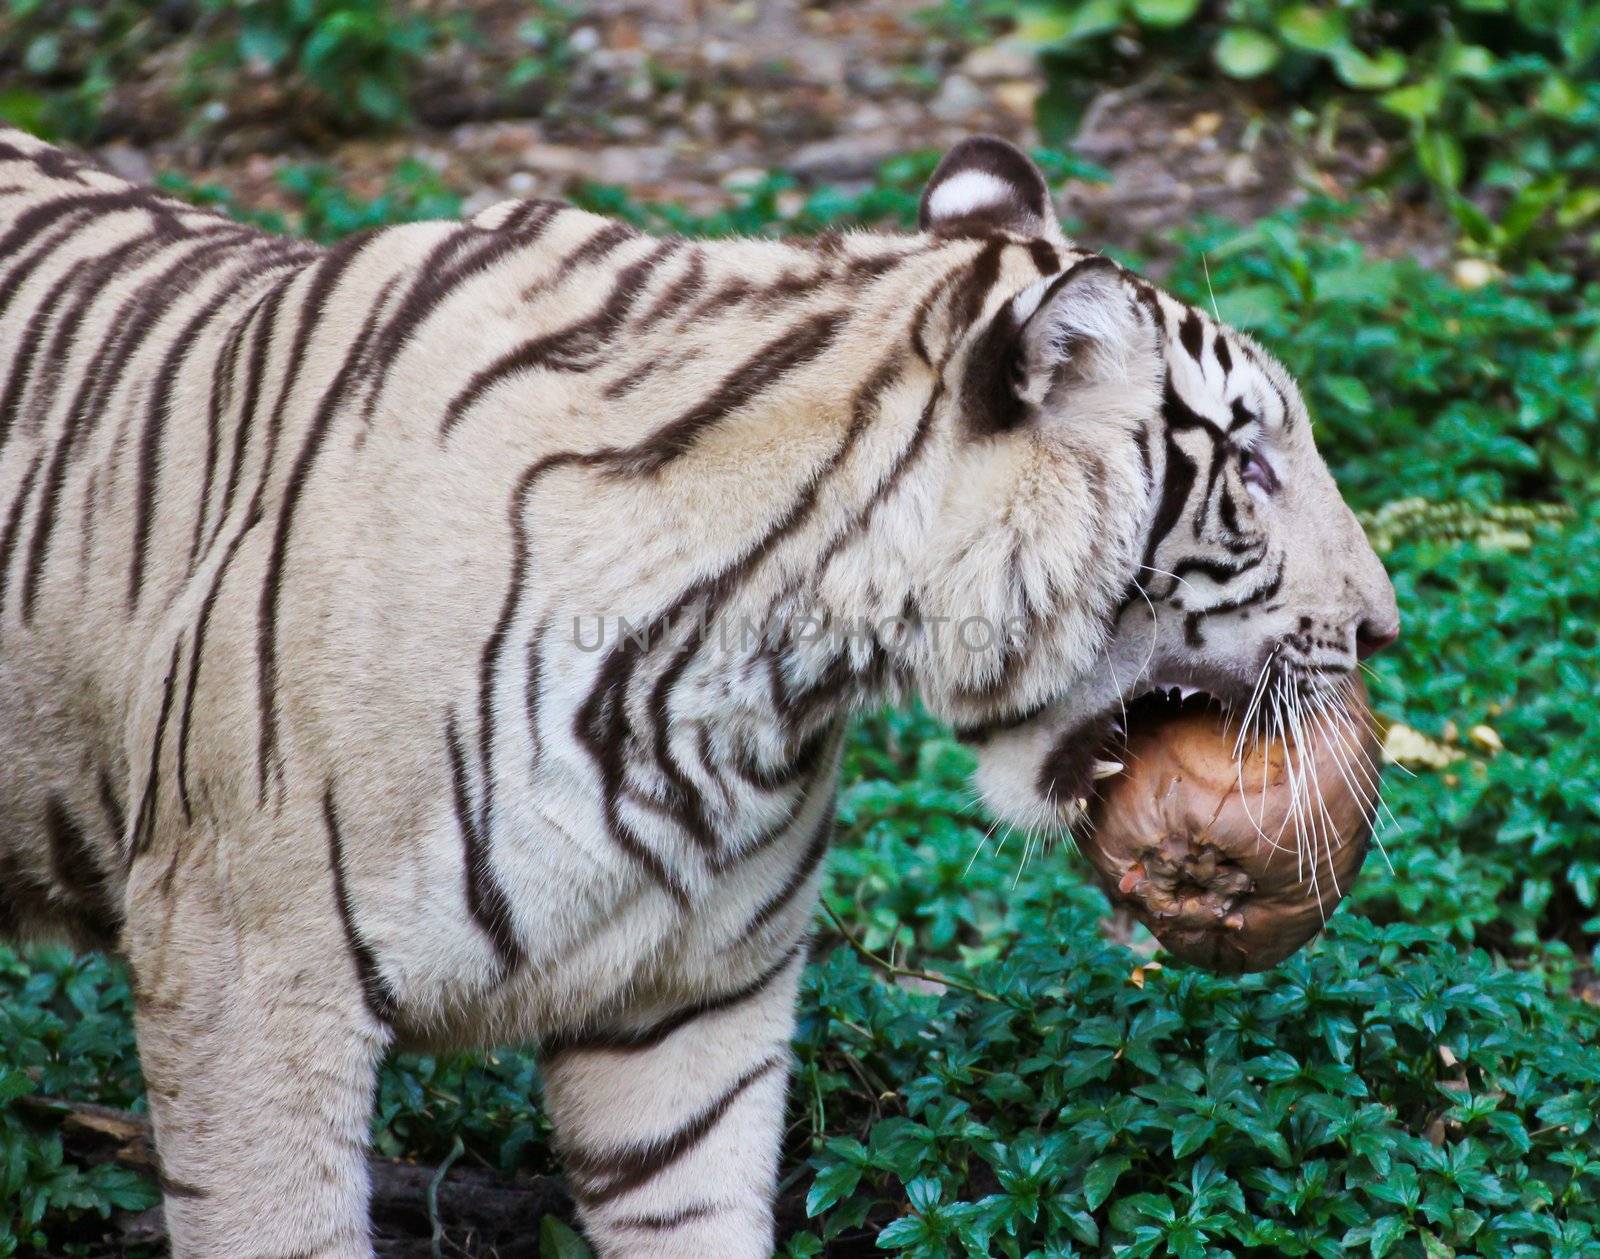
[[1495, 97]]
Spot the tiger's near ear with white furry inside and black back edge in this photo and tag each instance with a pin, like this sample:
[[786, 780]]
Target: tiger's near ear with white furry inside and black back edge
[[1057, 338]]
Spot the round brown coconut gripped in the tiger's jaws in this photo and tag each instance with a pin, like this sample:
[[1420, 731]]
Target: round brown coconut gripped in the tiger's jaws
[[1226, 876]]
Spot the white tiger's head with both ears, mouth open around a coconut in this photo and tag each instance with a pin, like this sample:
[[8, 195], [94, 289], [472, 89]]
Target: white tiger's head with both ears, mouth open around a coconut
[[1137, 503]]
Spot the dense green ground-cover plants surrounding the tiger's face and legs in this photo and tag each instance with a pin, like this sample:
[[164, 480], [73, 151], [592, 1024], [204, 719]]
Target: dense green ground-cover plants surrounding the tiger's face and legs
[[1417, 1084]]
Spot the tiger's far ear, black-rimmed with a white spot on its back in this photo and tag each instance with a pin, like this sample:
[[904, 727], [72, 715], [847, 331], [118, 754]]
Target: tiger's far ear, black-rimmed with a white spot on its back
[[986, 186]]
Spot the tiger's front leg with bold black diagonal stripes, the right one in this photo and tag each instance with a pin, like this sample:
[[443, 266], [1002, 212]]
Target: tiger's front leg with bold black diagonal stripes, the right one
[[671, 1129]]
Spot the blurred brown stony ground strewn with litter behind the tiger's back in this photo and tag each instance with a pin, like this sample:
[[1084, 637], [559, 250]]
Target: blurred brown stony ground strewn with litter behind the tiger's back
[[687, 100]]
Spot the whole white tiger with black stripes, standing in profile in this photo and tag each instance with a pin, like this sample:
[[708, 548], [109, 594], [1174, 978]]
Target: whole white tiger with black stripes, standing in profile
[[444, 639]]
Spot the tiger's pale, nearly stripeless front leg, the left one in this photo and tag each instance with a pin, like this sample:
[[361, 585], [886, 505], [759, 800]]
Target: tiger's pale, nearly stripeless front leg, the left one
[[260, 1061]]
